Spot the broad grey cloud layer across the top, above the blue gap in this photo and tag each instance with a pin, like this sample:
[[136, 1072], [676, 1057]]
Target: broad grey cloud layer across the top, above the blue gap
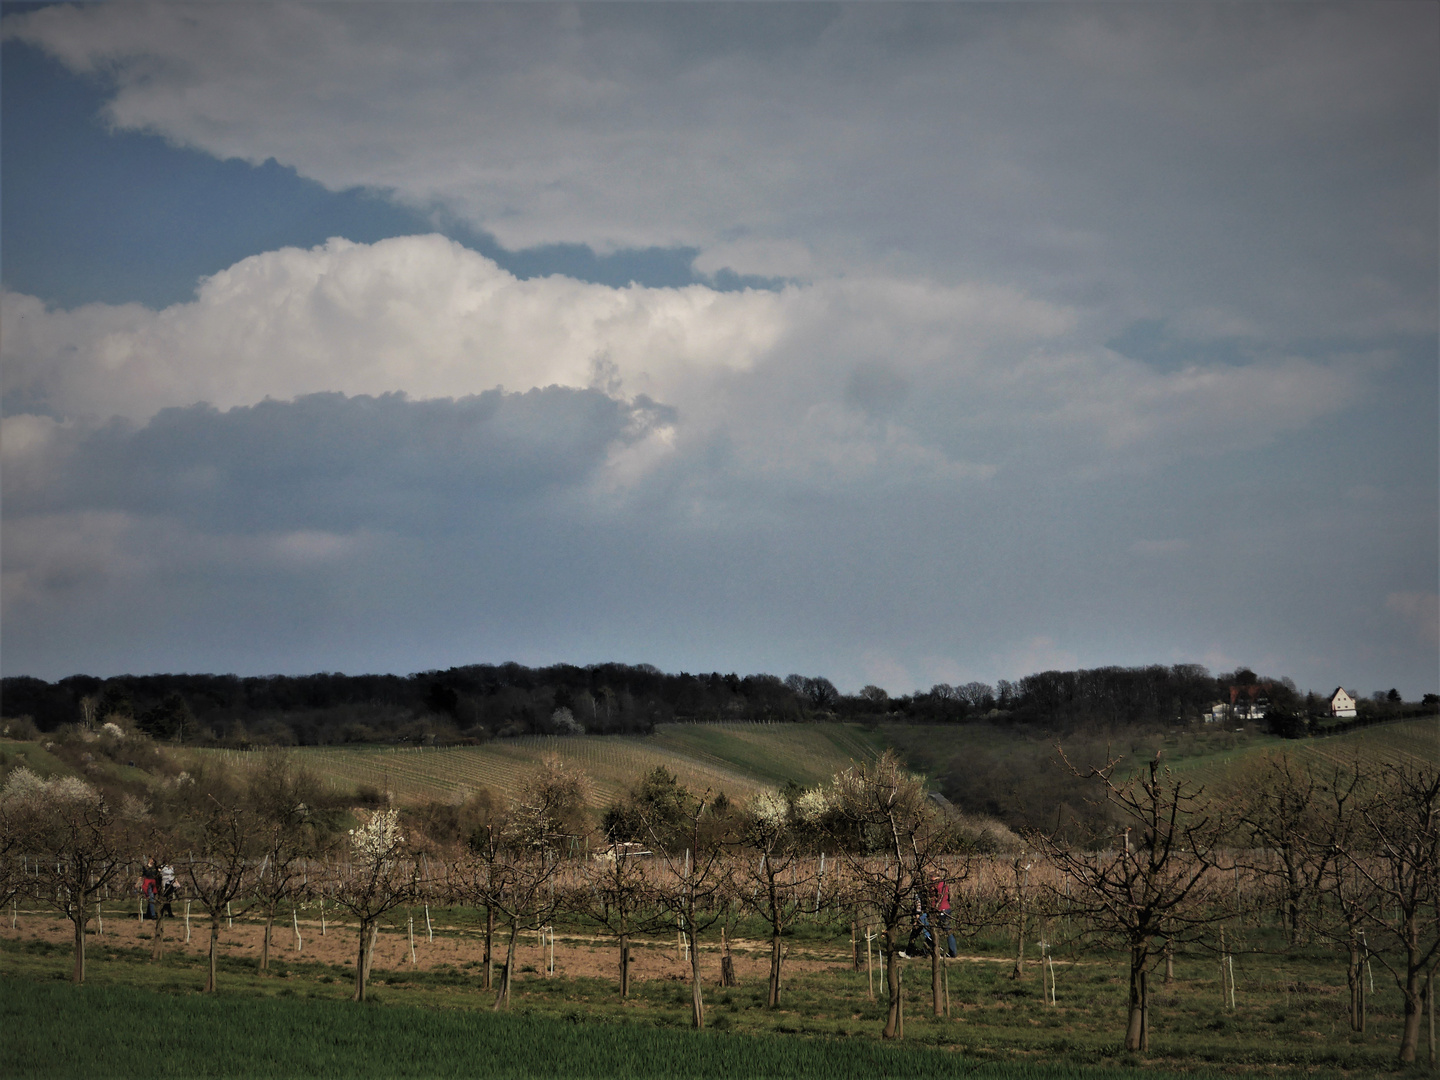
[[1256, 171]]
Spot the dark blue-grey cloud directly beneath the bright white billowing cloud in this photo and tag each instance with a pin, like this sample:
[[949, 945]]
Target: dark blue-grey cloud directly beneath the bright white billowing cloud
[[335, 463]]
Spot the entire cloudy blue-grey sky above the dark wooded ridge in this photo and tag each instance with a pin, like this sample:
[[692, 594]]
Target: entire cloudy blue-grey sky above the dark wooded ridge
[[892, 343]]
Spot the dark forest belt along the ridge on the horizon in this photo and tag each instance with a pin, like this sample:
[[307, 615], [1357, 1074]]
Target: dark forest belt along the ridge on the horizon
[[482, 702]]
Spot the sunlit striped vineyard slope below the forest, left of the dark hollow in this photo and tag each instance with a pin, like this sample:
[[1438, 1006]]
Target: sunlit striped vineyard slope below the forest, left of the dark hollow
[[735, 758]]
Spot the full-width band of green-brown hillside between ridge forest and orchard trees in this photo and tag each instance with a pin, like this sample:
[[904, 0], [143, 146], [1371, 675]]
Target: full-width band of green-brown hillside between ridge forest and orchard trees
[[1000, 773]]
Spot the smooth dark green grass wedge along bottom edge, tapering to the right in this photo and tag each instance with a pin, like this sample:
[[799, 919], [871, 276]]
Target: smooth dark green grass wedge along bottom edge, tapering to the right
[[55, 1030]]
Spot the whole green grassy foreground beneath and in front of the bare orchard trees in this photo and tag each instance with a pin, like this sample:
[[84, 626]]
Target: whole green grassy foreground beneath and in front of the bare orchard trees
[[136, 1017]]
